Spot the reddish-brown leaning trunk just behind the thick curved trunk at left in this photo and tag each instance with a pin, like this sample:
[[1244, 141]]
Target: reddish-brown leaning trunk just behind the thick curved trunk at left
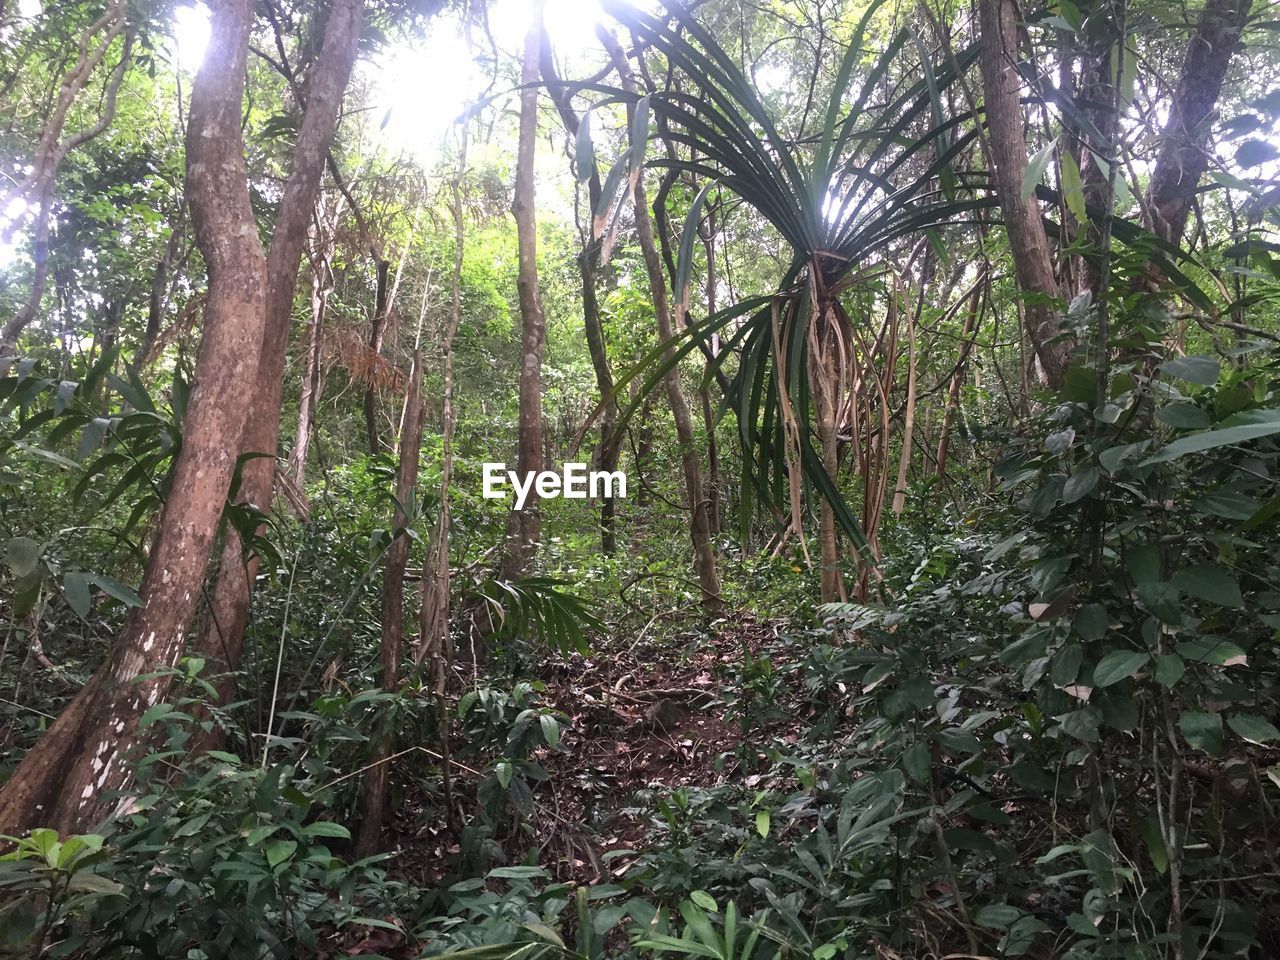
[[222, 638]]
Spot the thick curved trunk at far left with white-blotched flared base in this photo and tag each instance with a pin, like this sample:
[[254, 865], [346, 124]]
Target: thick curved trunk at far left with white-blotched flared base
[[77, 771]]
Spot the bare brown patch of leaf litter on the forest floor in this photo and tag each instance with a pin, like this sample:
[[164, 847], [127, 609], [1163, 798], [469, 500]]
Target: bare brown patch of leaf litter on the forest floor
[[643, 714]]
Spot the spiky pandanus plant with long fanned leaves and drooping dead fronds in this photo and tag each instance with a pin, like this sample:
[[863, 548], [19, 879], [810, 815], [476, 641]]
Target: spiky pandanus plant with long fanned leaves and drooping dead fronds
[[816, 359]]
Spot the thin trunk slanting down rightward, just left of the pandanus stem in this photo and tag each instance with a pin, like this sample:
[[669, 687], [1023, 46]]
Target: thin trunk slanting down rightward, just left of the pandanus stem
[[700, 527]]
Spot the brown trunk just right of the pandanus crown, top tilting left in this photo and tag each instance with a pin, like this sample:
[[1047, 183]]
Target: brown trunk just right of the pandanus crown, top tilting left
[[1028, 244]]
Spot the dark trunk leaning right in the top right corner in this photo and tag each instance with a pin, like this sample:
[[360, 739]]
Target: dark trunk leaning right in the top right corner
[[1183, 150]]
